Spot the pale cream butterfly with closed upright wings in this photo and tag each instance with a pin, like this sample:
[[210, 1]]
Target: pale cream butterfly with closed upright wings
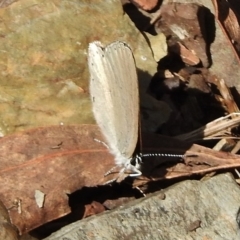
[[115, 98]]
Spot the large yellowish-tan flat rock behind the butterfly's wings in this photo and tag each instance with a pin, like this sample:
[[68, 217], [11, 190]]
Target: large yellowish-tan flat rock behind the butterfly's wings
[[43, 63]]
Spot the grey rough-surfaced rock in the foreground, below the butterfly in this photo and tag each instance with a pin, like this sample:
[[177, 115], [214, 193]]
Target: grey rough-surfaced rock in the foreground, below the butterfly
[[190, 210]]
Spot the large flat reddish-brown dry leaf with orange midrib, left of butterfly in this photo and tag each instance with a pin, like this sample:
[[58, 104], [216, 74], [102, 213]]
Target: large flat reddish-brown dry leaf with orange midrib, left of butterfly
[[55, 160]]
